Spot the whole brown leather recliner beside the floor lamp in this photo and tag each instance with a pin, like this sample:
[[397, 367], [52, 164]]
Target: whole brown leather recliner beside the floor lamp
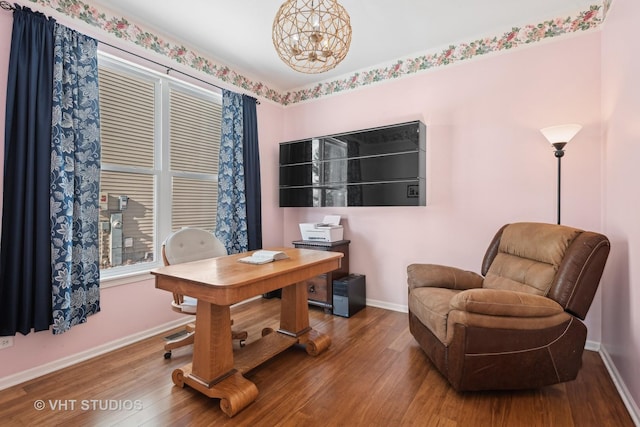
[[516, 326]]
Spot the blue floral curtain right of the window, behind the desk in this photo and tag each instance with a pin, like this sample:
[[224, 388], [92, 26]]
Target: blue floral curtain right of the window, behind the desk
[[231, 218]]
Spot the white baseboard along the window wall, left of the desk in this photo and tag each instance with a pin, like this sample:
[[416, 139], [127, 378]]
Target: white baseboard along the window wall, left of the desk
[[47, 368]]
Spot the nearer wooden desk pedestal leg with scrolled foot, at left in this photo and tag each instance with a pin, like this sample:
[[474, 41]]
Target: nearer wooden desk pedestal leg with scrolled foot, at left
[[212, 372]]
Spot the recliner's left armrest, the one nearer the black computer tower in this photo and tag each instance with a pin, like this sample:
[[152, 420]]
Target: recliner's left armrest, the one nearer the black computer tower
[[440, 276]]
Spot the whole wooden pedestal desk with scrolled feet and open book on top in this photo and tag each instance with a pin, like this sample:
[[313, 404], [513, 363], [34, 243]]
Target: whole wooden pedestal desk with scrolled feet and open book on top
[[218, 283]]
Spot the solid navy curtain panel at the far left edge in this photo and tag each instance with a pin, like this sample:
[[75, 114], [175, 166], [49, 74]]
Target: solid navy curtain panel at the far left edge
[[25, 253]]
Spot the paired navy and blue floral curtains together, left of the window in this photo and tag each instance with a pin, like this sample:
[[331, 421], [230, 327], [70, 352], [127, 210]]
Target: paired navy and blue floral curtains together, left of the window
[[48, 252]]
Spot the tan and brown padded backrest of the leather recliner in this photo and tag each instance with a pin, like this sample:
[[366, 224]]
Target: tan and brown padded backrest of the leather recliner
[[560, 262]]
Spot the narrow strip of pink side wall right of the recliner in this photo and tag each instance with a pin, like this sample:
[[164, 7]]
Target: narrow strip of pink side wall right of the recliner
[[621, 109]]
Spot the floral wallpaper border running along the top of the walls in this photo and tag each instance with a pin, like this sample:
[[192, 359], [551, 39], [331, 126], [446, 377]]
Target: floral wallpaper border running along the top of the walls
[[122, 29]]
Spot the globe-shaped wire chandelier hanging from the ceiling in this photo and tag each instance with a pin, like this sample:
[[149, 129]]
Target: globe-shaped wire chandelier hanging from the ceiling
[[312, 36]]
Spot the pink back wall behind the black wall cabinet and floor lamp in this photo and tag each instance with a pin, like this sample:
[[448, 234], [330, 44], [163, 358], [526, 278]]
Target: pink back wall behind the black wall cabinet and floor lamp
[[488, 164]]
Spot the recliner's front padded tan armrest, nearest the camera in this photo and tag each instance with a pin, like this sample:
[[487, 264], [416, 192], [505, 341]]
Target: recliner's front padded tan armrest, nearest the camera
[[498, 302]]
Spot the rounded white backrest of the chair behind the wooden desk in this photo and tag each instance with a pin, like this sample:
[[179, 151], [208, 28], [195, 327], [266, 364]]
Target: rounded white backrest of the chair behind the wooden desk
[[191, 244]]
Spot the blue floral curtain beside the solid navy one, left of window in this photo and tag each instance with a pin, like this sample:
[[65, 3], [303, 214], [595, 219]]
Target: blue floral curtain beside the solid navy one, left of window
[[75, 180]]
